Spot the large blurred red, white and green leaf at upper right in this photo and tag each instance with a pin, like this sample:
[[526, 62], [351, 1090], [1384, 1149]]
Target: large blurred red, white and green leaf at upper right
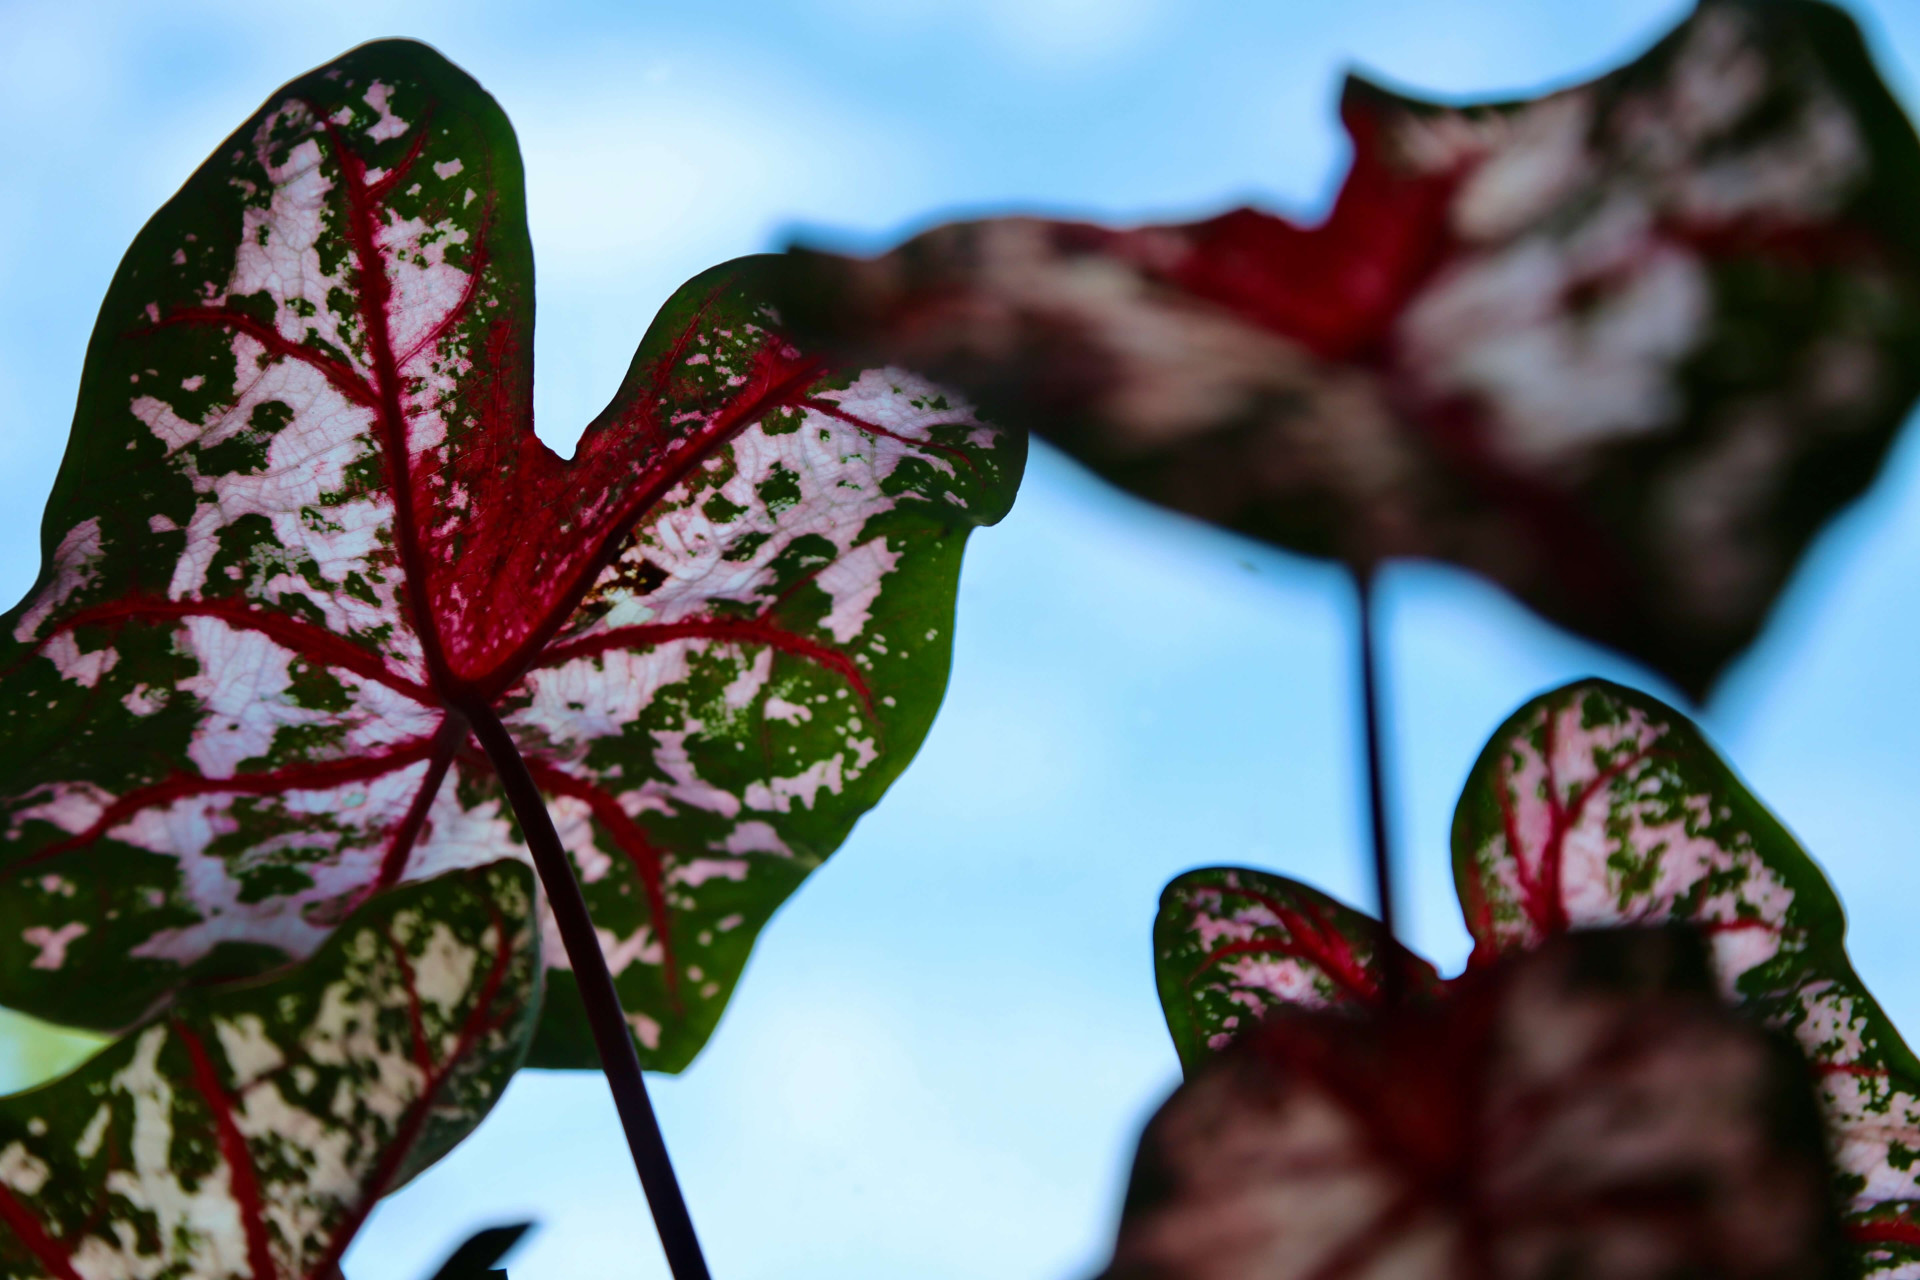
[[1623, 348]]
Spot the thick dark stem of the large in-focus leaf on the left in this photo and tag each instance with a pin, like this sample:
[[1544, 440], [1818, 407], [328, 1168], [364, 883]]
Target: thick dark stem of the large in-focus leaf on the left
[[612, 1035]]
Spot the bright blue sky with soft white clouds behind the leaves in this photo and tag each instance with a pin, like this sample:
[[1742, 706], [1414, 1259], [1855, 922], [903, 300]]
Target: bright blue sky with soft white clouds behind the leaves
[[946, 1045]]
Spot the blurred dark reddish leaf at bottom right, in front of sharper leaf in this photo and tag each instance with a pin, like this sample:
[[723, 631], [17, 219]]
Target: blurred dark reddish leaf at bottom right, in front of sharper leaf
[[1589, 1112]]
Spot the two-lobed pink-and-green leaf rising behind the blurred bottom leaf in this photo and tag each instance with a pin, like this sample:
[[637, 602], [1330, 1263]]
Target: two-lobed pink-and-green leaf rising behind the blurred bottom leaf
[[1596, 807]]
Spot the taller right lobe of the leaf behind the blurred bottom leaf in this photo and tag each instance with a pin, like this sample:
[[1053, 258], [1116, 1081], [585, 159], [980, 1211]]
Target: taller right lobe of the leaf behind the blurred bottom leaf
[[1596, 805]]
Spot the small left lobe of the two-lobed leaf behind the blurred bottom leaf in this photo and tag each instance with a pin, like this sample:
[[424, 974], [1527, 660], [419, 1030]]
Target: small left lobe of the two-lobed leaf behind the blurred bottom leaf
[[1234, 945]]
